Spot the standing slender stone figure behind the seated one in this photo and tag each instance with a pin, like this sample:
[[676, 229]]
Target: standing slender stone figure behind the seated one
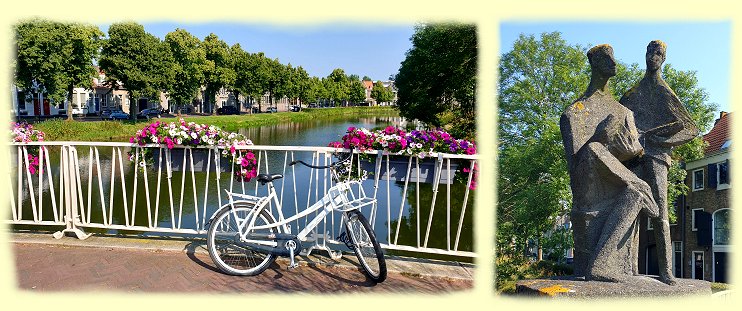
[[662, 122]]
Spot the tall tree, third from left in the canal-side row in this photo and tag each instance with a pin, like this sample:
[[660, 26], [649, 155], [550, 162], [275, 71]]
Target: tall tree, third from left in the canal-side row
[[189, 66]]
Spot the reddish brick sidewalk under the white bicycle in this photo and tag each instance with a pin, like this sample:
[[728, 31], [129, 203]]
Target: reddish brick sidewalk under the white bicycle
[[173, 266]]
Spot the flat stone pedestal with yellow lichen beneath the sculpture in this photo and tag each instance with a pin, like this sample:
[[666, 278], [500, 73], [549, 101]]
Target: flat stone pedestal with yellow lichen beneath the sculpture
[[640, 286]]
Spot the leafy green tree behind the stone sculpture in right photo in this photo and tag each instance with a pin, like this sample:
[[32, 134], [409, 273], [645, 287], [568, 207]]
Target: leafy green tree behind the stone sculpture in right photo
[[539, 78]]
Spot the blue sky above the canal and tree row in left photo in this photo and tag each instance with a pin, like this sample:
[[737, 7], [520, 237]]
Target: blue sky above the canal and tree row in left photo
[[372, 50]]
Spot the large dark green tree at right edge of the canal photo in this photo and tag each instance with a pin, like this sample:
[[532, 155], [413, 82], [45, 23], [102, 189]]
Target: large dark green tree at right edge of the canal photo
[[436, 81]]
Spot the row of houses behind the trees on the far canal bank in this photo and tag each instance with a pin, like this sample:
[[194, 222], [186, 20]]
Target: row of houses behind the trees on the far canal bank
[[100, 97]]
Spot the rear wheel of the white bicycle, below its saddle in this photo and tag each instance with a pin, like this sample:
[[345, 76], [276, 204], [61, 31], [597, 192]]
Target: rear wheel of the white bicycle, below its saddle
[[232, 255]]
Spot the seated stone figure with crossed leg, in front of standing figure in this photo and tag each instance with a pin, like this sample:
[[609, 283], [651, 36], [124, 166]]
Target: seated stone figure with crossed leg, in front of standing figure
[[599, 134]]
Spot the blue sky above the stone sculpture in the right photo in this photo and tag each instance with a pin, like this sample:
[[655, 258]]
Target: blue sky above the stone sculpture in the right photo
[[702, 47]]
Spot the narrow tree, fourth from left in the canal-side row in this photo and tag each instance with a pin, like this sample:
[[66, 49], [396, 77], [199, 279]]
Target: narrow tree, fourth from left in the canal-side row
[[219, 71]]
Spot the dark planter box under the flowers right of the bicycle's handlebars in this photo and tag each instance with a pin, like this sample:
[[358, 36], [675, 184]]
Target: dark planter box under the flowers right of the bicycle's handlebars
[[398, 170]]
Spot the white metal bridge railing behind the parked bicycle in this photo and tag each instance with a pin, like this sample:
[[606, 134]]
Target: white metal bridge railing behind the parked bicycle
[[96, 188]]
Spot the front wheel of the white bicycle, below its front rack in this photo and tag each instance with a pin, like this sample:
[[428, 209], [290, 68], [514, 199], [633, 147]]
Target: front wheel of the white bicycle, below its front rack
[[366, 246]]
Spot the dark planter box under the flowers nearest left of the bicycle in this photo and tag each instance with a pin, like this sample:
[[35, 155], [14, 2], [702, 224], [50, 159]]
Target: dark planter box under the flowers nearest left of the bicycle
[[200, 160]]
